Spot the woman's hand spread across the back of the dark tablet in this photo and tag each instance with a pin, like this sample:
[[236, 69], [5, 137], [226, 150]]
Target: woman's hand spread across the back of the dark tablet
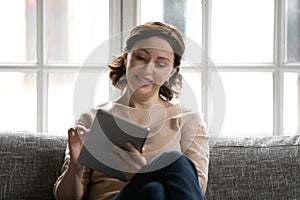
[[130, 161]]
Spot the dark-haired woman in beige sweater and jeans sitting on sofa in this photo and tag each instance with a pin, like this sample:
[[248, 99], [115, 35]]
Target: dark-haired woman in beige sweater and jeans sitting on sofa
[[174, 161]]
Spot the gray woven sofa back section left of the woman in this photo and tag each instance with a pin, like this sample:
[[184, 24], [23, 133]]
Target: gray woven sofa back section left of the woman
[[30, 164]]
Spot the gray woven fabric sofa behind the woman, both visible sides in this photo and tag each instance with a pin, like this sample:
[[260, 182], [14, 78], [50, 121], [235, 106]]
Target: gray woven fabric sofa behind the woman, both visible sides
[[240, 168]]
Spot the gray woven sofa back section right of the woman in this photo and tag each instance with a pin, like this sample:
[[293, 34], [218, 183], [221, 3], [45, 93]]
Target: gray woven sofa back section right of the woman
[[254, 168]]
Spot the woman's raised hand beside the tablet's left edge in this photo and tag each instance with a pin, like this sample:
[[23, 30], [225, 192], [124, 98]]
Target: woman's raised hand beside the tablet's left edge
[[75, 140]]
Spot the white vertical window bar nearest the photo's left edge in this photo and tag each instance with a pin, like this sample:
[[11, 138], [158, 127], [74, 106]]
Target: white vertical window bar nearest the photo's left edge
[[42, 75]]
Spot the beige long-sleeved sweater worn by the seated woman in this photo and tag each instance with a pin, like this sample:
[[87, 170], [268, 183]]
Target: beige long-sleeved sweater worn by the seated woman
[[172, 128]]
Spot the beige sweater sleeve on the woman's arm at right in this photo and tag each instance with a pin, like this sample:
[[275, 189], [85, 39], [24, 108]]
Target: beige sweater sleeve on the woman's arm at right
[[194, 144]]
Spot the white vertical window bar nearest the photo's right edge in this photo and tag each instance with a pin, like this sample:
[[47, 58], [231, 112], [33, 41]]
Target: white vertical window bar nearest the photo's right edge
[[279, 52]]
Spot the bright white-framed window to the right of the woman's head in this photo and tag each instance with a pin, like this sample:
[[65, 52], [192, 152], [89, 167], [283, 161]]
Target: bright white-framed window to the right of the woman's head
[[255, 56]]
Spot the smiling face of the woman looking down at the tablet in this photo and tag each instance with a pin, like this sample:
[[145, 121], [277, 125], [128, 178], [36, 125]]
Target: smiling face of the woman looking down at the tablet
[[148, 65]]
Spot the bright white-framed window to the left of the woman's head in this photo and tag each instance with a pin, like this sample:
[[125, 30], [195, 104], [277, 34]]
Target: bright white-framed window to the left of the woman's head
[[44, 50]]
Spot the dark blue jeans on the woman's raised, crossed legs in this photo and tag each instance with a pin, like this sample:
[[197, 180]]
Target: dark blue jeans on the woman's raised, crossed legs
[[177, 180]]
